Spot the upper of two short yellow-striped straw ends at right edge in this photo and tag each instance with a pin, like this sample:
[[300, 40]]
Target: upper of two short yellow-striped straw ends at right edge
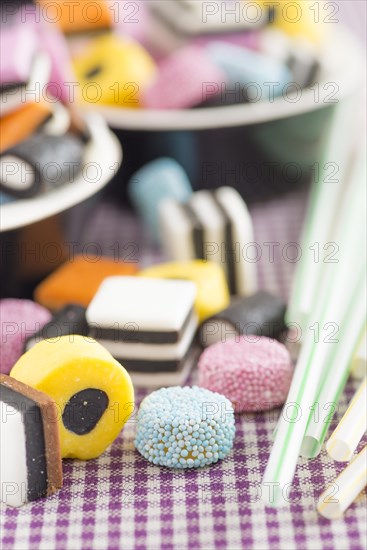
[[349, 432]]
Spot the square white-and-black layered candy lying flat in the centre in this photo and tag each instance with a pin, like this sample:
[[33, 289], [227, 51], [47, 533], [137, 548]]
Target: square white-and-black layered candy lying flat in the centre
[[149, 325]]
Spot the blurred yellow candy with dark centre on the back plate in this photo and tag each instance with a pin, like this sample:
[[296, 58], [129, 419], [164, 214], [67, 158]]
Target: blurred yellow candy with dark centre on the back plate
[[114, 71]]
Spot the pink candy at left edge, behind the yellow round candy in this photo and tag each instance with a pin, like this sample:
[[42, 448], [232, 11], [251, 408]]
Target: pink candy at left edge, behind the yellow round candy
[[20, 319]]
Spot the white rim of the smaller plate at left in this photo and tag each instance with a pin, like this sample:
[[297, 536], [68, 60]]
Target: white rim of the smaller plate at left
[[102, 159]]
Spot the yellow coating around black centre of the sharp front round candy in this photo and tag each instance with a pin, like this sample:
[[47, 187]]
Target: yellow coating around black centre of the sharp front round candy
[[62, 367]]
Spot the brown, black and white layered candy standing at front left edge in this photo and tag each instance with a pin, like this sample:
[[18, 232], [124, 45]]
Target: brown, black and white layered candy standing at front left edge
[[30, 460]]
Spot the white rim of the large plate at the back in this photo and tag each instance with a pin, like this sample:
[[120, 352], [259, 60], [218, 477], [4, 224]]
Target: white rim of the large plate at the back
[[341, 62]]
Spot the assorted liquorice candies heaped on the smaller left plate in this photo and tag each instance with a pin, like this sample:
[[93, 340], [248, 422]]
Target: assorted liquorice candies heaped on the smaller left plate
[[41, 139]]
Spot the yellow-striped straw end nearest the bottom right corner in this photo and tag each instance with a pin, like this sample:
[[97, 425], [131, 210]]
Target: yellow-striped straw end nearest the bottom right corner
[[348, 485]]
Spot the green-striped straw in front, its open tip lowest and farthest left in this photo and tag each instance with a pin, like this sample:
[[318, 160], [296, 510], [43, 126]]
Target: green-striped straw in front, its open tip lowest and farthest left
[[338, 294]]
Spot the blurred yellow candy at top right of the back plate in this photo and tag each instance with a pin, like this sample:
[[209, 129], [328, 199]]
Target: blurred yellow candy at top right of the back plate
[[300, 19]]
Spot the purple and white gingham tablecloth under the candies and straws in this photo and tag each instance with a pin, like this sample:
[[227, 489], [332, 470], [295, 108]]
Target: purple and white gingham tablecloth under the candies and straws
[[121, 501]]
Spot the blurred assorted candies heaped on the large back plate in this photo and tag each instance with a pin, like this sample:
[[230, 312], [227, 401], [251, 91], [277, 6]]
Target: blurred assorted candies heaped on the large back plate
[[177, 55]]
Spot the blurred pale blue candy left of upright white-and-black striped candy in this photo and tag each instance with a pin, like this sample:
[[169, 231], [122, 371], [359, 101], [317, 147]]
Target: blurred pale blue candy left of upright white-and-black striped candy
[[157, 180]]
